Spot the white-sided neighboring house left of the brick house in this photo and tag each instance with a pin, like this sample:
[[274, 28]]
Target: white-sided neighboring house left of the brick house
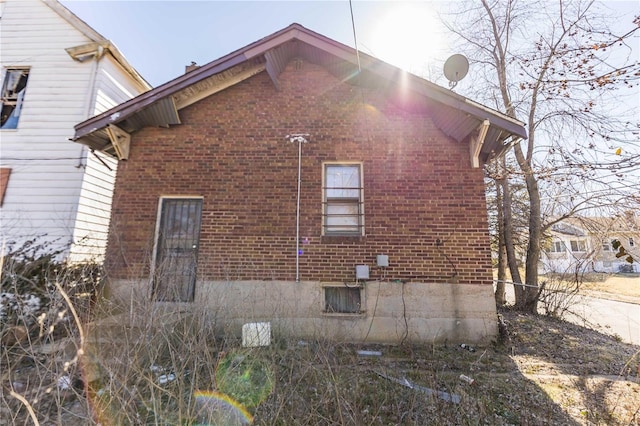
[[56, 71]]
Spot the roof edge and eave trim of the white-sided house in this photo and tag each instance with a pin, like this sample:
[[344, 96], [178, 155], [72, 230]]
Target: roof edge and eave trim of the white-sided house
[[97, 39]]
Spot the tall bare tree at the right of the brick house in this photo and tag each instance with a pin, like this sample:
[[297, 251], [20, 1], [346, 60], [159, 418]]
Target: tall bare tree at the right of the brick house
[[558, 67]]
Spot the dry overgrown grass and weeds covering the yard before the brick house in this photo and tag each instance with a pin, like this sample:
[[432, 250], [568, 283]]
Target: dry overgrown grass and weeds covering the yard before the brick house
[[547, 372]]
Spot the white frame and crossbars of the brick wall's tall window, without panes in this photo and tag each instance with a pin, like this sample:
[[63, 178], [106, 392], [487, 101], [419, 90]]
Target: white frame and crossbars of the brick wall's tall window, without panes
[[328, 200]]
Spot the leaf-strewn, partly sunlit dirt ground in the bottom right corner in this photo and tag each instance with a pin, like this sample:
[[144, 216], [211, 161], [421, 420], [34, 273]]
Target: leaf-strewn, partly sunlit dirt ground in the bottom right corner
[[592, 377]]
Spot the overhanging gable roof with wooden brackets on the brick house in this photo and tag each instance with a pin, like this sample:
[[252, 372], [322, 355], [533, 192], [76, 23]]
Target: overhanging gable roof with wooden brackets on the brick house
[[457, 116]]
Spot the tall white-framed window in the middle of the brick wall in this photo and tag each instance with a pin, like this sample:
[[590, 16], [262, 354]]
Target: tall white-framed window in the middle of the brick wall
[[343, 209]]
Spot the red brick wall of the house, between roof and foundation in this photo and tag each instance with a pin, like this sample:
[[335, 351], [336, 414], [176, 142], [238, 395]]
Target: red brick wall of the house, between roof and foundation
[[419, 187]]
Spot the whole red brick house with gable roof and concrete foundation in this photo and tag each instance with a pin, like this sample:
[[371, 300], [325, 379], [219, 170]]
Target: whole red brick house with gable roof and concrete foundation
[[280, 183]]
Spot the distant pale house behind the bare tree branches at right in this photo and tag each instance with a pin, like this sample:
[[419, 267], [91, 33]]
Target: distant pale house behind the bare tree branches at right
[[594, 244]]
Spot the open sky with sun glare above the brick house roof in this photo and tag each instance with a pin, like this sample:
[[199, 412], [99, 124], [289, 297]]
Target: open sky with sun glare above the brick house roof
[[159, 38]]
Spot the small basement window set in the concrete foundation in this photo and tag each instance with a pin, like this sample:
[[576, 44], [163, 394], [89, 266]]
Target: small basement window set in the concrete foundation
[[335, 304]]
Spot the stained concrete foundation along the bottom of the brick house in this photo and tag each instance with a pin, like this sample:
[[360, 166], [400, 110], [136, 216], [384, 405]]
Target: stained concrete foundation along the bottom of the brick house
[[391, 312]]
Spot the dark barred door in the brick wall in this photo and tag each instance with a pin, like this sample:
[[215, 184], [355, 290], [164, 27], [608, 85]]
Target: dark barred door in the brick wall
[[177, 249]]
